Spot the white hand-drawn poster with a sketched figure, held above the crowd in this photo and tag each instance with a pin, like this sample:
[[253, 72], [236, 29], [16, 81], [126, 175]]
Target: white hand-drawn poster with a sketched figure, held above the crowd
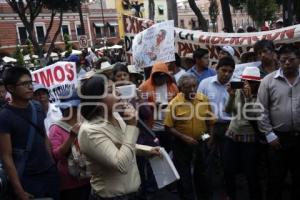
[[155, 44]]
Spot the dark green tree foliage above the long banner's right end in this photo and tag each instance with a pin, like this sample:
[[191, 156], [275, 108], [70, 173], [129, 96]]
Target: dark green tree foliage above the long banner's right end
[[262, 10]]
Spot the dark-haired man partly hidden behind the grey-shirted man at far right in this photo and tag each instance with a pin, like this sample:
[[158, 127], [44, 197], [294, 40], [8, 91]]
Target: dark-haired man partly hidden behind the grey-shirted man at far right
[[265, 52]]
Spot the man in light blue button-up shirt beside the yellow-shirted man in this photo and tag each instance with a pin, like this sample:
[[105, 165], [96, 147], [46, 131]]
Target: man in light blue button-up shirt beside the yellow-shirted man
[[215, 88]]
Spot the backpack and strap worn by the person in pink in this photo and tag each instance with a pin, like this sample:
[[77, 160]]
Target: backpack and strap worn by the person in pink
[[77, 163]]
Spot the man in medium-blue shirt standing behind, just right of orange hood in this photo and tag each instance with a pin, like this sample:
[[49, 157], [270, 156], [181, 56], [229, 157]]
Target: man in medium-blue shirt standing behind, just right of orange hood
[[201, 69]]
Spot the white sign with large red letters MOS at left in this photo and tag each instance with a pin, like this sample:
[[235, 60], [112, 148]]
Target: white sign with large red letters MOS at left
[[58, 77]]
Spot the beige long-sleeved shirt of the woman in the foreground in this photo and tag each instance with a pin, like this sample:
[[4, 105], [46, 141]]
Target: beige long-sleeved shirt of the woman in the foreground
[[111, 157]]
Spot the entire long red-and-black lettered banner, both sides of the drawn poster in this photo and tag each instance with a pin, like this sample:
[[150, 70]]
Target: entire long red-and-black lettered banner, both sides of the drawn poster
[[187, 41]]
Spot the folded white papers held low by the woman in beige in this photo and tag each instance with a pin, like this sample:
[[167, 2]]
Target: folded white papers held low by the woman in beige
[[164, 170]]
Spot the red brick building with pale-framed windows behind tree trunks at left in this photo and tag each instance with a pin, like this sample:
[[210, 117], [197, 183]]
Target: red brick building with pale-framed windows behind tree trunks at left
[[99, 23]]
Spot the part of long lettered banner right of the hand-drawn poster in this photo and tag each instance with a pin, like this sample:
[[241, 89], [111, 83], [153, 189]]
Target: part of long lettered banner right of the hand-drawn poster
[[188, 40]]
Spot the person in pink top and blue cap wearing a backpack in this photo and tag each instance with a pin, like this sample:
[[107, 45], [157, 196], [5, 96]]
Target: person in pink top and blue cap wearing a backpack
[[63, 136]]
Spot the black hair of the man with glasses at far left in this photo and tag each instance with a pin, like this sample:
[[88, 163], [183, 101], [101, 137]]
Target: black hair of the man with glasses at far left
[[13, 74]]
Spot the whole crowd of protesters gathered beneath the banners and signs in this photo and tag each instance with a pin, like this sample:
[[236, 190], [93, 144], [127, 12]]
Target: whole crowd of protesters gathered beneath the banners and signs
[[91, 144]]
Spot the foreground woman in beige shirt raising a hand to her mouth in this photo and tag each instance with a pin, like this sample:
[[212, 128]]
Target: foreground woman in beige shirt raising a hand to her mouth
[[108, 141]]
